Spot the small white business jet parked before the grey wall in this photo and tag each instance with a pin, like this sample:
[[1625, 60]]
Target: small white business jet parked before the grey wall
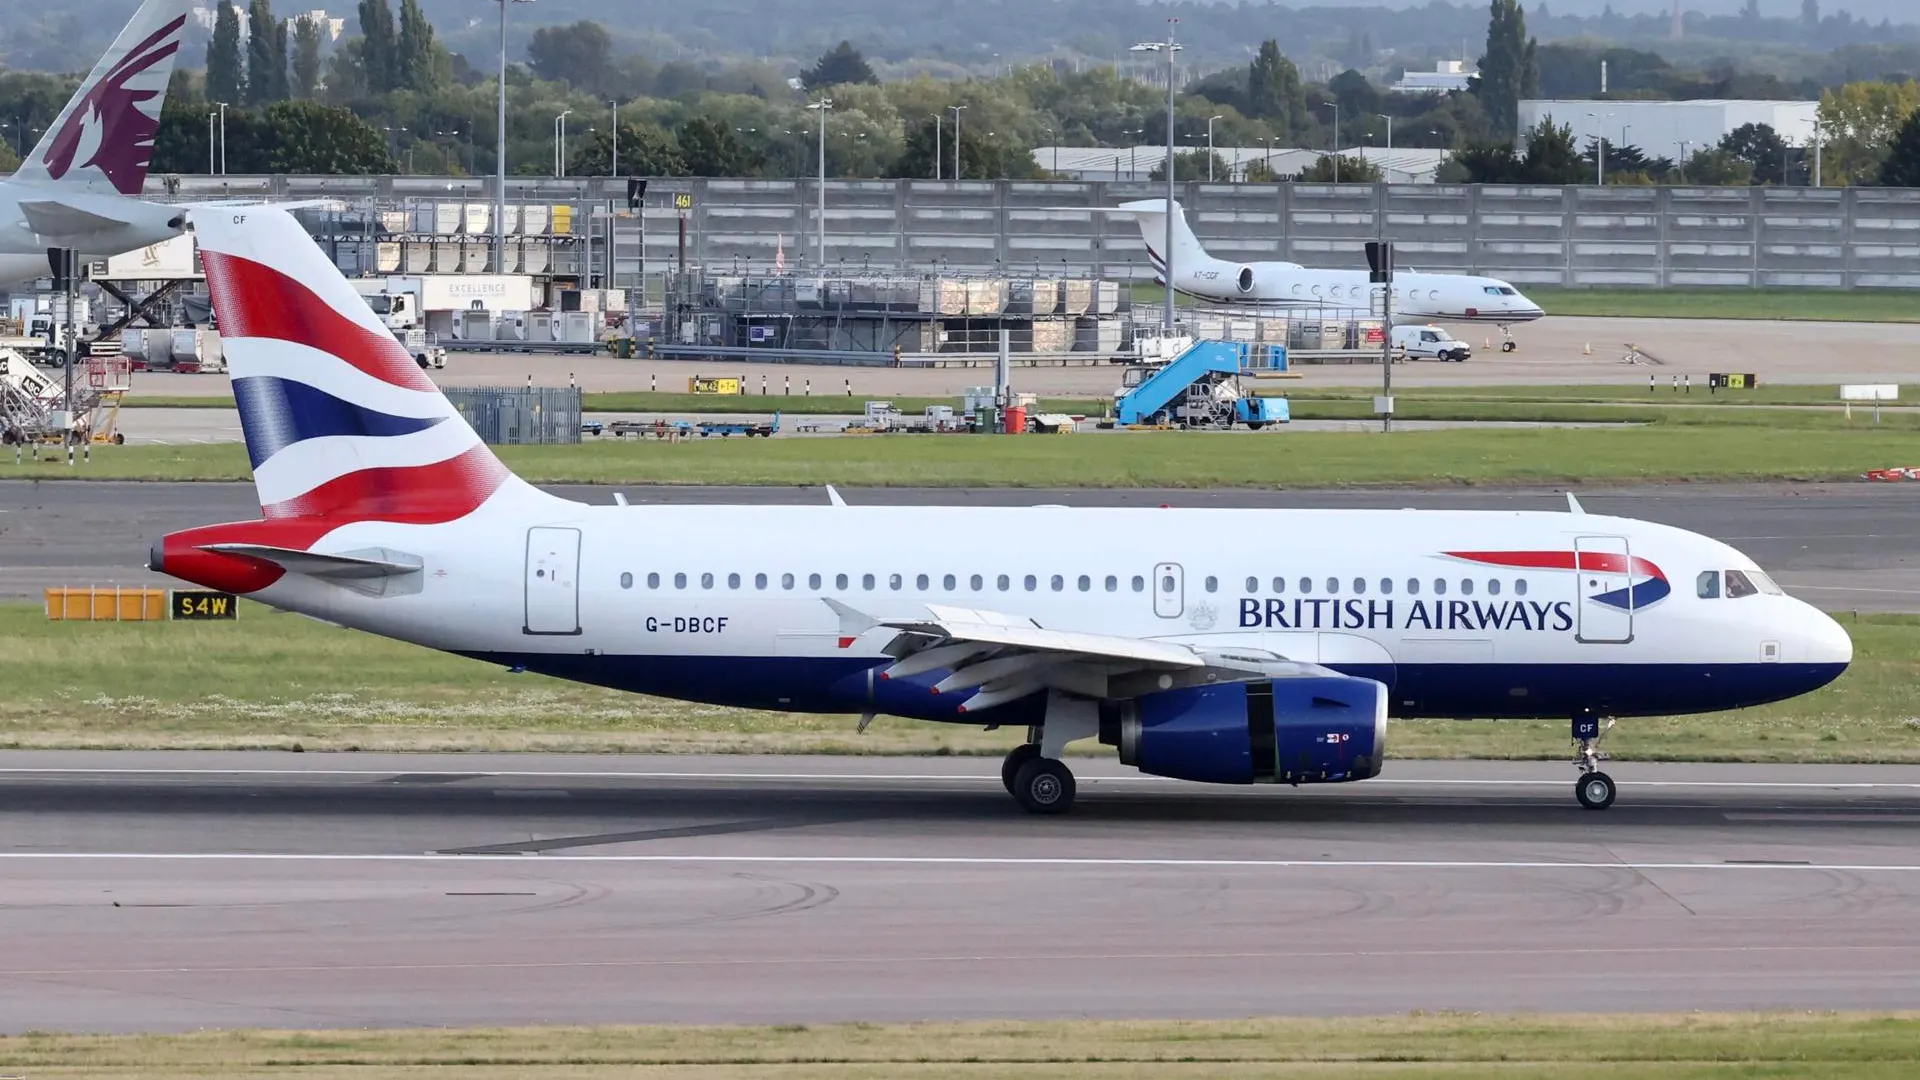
[[1418, 297]]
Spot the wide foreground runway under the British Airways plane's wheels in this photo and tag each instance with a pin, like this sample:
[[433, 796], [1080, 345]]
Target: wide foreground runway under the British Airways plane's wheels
[[160, 893]]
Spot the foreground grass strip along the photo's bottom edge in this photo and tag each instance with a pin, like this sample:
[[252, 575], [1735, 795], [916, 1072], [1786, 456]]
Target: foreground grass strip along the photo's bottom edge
[[1691, 1046]]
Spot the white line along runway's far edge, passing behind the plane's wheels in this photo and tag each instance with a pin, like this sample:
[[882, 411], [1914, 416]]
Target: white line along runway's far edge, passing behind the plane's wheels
[[923, 777]]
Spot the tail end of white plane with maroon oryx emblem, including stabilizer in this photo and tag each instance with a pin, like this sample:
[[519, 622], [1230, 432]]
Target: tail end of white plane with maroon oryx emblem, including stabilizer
[[80, 187]]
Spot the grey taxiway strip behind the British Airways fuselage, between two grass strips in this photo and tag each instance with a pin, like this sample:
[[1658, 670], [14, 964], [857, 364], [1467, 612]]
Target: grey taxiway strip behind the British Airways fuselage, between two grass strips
[[1840, 547]]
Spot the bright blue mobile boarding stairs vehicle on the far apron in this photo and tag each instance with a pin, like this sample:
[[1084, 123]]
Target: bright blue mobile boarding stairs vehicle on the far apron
[[1201, 387]]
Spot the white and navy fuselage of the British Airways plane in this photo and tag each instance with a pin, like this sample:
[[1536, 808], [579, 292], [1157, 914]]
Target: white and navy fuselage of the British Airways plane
[[1458, 614]]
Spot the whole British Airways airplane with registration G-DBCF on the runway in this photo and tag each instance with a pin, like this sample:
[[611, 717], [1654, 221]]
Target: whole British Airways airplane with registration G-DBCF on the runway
[[1234, 647]]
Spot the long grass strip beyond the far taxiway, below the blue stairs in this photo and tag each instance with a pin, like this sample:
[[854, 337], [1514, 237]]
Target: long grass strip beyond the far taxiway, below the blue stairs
[[1698, 447]]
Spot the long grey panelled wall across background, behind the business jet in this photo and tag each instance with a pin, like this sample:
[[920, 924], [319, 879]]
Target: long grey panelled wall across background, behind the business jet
[[1531, 235]]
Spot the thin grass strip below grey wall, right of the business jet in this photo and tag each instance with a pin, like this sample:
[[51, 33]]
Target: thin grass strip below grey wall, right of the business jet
[[1804, 305]]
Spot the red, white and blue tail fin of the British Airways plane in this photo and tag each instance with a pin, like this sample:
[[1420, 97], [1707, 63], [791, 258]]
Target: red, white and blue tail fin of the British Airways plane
[[341, 424]]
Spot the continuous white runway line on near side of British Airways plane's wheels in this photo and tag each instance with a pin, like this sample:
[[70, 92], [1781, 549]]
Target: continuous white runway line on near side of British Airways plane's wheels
[[1042, 862]]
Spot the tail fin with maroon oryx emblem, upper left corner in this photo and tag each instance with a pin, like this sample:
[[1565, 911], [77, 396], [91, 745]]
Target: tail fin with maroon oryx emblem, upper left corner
[[105, 137]]
